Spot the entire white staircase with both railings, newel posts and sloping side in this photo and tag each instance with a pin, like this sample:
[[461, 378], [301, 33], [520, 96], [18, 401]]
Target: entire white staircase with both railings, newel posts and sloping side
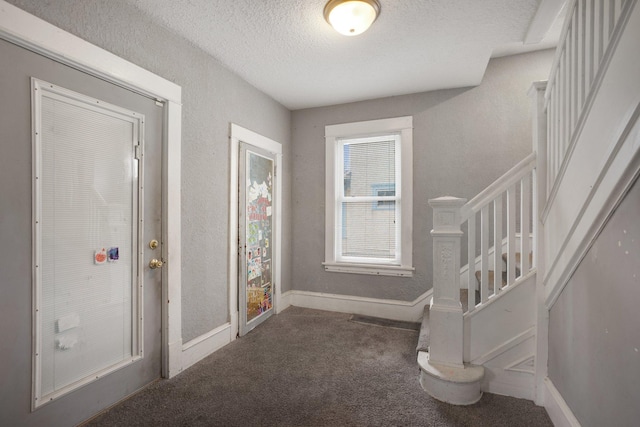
[[550, 206]]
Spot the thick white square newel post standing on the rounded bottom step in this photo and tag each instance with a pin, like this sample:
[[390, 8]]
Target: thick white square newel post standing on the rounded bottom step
[[445, 314]]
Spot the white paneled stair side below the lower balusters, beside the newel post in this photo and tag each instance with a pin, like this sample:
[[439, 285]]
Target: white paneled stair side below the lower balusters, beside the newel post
[[500, 336]]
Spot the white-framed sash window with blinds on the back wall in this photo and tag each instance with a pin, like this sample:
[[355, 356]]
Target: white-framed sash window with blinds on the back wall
[[369, 193]]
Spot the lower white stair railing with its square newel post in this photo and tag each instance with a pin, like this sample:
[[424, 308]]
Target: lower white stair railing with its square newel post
[[509, 204]]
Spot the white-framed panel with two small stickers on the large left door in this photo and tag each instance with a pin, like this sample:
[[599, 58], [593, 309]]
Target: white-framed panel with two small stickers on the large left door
[[86, 262]]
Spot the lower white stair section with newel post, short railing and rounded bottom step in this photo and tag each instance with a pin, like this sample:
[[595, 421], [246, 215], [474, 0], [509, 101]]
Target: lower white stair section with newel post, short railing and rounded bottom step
[[491, 331]]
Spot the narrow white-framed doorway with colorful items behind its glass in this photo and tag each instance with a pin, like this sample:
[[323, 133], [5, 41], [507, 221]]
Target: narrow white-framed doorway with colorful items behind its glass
[[255, 224]]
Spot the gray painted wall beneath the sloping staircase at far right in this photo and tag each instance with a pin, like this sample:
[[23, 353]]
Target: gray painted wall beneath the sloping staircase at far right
[[594, 339]]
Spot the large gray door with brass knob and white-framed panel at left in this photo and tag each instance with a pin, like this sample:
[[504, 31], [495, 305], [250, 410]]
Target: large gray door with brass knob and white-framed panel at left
[[92, 321]]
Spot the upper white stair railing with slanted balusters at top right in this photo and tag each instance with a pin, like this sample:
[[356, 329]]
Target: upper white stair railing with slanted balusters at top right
[[587, 43]]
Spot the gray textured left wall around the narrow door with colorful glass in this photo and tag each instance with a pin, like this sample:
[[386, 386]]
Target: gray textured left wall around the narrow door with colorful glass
[[212, 98]]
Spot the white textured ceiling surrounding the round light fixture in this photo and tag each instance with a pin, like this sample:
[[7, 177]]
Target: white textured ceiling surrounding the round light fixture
[[286, 49]]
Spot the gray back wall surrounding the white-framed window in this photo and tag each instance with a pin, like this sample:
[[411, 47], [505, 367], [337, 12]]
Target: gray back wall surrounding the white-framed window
[[463, 140]]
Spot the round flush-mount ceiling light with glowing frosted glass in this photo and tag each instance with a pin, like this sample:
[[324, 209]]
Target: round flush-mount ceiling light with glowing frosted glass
[[351, 17]]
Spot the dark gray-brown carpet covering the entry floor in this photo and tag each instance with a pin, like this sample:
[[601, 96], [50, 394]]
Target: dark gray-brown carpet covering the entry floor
[[311, 368]]
